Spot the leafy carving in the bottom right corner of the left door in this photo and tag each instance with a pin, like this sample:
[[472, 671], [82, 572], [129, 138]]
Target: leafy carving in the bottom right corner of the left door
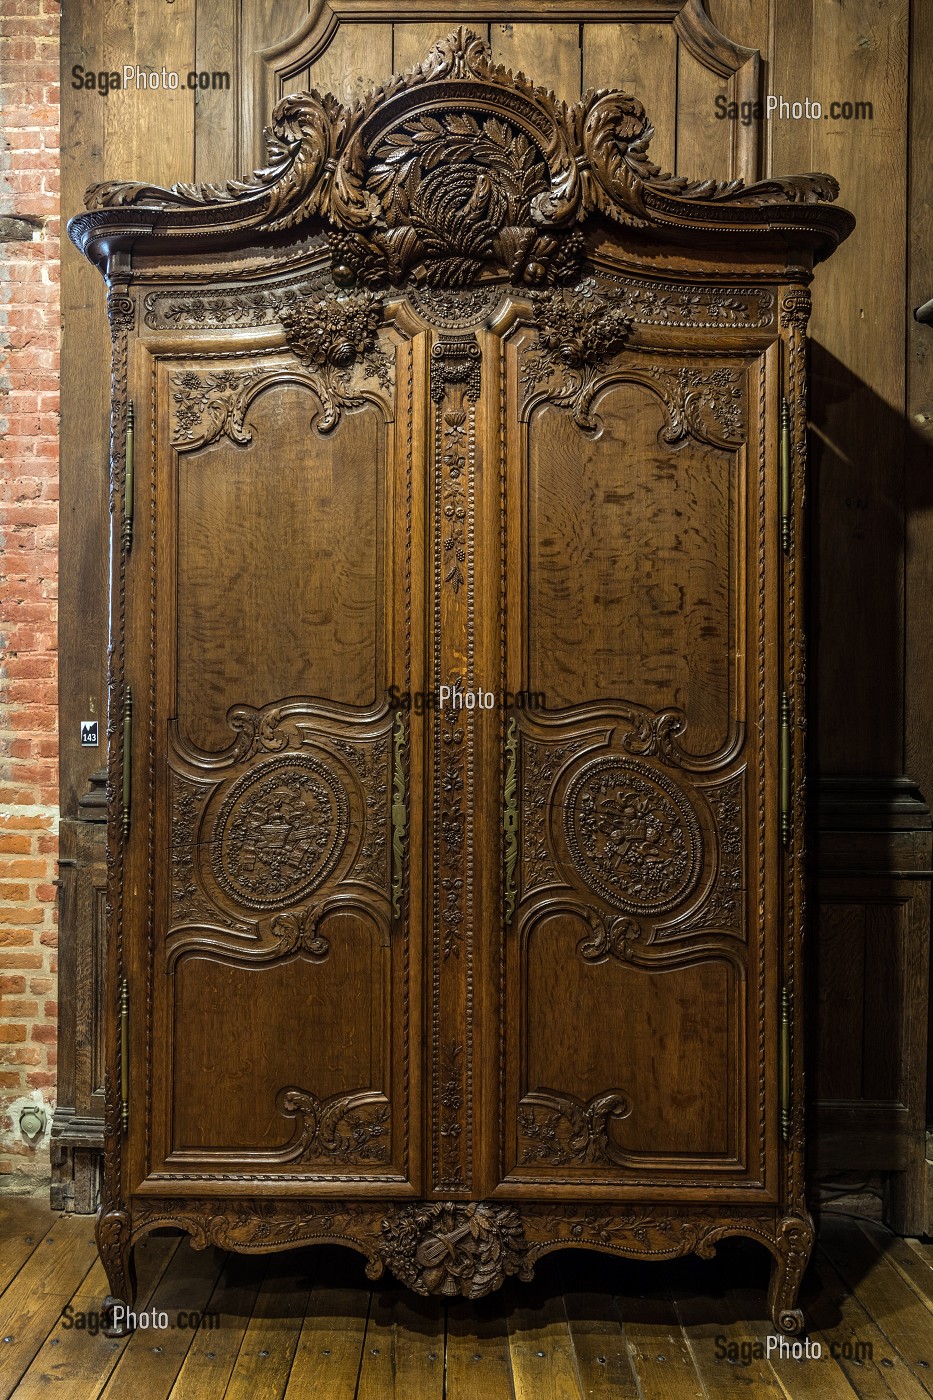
[[350, 1129]]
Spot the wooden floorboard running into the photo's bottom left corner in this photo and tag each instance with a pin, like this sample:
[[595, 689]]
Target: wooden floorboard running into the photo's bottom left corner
[[33, 1303]]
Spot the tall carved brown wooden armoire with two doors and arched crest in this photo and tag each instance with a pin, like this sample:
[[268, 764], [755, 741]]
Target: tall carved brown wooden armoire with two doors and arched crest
[[456, 734]]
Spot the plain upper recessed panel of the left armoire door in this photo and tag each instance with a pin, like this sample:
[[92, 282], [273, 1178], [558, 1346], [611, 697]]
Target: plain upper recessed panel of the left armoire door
[[279, 566]]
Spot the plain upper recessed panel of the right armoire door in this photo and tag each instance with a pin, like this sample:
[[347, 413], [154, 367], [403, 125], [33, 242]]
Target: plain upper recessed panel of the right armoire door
[[631, 565]]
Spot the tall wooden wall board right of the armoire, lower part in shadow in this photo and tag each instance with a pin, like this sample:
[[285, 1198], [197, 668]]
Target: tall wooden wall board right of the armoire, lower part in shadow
[[859, 52]]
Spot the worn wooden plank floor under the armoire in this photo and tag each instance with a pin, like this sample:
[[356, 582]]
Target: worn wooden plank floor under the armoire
[[309, 1325]]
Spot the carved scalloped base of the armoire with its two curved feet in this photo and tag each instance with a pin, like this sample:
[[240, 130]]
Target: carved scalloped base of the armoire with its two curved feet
[[466, 1248]]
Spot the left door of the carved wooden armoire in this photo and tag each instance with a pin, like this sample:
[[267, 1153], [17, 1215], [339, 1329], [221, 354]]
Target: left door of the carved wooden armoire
[[271, 978]]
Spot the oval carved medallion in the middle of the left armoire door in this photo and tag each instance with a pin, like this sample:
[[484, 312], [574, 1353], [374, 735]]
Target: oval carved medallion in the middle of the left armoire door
[[281, 832]]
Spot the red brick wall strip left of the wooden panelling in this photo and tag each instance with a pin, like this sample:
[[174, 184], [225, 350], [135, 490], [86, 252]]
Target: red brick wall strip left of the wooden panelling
[[29, 569]]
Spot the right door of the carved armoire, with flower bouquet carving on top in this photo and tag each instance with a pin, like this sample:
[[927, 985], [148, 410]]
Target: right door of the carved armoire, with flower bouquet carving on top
[[641, 1002]]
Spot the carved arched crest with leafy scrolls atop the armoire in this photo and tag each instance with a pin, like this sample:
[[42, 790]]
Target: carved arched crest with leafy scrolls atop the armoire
[[459, 171]]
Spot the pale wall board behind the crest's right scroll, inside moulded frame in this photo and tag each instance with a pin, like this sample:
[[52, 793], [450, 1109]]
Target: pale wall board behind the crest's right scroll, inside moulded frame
[[642, 59]]
